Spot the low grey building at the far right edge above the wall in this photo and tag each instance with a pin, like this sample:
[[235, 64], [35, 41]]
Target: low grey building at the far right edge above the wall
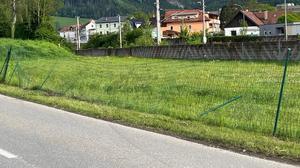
[[279, 29]]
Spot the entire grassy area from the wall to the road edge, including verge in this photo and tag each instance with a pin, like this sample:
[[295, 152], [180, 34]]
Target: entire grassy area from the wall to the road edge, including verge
[[165, 95]]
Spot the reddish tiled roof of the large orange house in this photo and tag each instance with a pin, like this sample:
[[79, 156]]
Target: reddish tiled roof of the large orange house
[[183, 12]]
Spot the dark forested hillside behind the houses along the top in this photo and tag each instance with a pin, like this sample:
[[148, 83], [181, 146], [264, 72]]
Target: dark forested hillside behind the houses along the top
[[98, 8]]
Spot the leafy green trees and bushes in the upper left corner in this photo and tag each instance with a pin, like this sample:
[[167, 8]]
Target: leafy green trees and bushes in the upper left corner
[[28, 19]]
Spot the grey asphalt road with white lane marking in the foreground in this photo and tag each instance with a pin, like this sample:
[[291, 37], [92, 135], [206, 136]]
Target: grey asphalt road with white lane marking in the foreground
[[36, 136]]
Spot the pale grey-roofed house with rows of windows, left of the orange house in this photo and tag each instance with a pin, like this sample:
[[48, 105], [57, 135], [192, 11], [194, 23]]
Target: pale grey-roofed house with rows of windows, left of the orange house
[[106, 25]]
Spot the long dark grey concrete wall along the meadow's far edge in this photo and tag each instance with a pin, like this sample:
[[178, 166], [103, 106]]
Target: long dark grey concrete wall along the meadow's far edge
[[227, 51]]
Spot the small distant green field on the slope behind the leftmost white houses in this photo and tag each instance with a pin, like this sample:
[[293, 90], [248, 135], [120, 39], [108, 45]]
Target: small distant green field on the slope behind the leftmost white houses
[[60, 22]]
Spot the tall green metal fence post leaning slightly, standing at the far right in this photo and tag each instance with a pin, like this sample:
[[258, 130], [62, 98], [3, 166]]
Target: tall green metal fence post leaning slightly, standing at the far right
[[281, 91]]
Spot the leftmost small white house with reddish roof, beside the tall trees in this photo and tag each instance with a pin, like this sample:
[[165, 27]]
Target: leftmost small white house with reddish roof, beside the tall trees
[[69, 33]]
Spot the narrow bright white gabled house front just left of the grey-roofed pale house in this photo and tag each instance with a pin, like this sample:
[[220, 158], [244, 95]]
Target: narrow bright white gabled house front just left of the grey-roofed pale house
[[87, 30]]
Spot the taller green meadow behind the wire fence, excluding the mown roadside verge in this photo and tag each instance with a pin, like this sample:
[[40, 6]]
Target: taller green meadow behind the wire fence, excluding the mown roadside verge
[[177, 89]]
